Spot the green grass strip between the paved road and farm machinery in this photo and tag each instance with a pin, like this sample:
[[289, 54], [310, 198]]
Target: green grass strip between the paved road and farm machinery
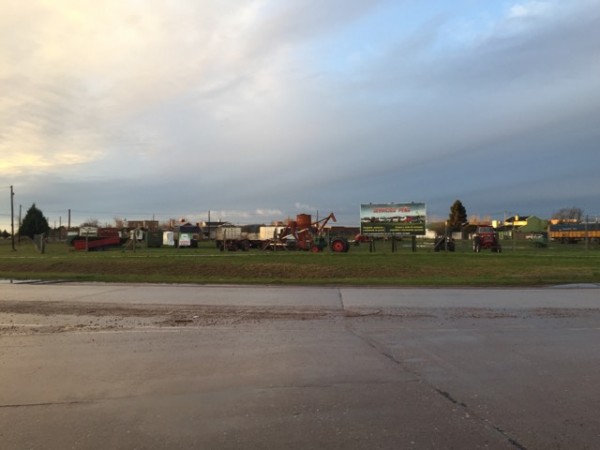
[[520, 264]]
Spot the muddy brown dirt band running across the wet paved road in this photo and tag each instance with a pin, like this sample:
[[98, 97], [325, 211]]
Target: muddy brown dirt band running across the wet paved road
[[26, 318]]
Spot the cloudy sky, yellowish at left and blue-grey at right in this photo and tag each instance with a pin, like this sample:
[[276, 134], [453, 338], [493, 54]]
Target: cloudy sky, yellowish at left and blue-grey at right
[[258, 110]]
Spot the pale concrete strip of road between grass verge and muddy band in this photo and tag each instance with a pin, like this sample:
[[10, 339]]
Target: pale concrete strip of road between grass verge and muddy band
[[587, 296]]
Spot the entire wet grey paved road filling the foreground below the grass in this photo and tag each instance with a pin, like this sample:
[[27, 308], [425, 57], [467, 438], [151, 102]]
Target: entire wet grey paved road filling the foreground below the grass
[[298, 367]]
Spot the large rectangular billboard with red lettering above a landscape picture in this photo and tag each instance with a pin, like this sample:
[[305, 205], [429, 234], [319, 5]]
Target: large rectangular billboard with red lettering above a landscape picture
[[393, 218]]
